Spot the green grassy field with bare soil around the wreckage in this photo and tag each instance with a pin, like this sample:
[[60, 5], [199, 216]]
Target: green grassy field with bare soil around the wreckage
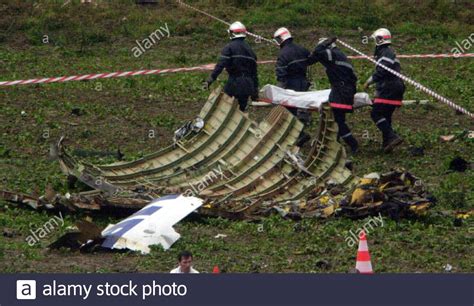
[[120, 113]]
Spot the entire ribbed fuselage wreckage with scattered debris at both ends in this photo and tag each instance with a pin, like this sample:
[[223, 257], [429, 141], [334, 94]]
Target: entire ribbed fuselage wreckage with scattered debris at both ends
[[240, 168]]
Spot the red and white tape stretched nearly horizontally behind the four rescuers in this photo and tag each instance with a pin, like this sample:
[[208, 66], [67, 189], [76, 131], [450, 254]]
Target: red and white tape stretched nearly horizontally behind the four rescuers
[[208, 67]]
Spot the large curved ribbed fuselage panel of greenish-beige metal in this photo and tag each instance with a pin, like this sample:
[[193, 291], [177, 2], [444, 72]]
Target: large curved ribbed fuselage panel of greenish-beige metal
[[251, 158]]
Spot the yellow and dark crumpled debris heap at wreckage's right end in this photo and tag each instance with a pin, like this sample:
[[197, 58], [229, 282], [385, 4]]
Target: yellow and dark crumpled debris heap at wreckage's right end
[[396, 194]]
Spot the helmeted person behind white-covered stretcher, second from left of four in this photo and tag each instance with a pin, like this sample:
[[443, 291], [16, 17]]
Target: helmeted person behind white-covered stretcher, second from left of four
[[291, 73]]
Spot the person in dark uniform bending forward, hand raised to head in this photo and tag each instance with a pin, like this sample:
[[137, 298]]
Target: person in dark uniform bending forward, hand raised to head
[[343, 81]]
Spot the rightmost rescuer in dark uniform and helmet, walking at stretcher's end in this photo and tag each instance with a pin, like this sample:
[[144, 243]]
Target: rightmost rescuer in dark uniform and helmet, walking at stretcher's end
[[389, 89]]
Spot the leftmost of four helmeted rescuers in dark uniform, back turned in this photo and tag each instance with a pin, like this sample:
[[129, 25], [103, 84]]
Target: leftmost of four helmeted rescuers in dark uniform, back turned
[[241, 64]]
